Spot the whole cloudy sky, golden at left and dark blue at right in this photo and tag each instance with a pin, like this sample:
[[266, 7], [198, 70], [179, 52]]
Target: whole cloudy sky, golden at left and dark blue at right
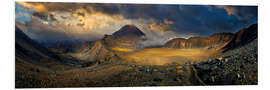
[[90, 21]]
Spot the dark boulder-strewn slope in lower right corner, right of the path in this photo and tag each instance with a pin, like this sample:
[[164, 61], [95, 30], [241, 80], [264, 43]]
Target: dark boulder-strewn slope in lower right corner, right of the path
[[235, 67]]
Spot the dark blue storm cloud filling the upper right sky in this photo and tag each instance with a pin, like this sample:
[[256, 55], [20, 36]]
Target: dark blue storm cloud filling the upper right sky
[[199, 19]]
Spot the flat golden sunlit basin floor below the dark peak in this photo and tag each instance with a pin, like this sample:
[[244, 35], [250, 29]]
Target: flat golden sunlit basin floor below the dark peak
[[162, 56]]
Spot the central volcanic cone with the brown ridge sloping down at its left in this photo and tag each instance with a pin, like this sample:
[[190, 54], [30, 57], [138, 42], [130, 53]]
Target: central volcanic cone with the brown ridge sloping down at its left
[[127, 37]]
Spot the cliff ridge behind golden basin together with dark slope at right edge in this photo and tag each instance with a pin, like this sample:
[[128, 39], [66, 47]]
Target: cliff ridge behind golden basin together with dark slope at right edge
[[219, 41]]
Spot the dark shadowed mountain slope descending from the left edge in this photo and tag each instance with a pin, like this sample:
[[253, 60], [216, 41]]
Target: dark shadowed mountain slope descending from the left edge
[[28, 50]]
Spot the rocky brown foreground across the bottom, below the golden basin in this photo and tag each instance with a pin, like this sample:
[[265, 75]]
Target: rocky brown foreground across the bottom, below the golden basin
[[236, 67]]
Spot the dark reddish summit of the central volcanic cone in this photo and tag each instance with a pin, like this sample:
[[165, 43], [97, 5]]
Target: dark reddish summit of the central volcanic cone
[[130, 31]]
